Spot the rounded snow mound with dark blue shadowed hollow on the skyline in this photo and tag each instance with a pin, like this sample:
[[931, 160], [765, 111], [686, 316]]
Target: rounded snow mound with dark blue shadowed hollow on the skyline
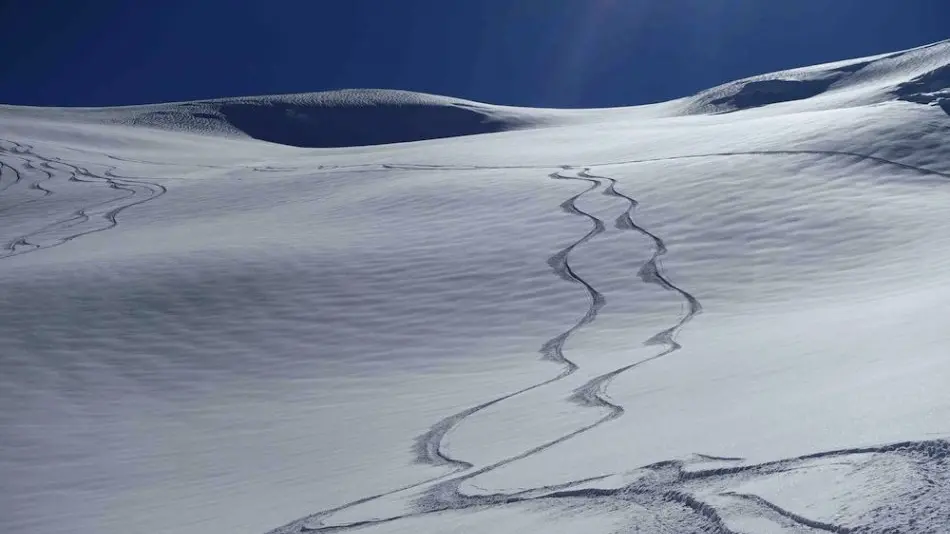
[[333, 119]]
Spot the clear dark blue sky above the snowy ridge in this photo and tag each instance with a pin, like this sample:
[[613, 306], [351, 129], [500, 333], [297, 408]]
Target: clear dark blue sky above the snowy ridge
[[561, 53]]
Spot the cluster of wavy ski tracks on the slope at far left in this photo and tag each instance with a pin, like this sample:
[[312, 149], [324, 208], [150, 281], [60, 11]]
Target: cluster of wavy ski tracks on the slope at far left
[[130, 187]]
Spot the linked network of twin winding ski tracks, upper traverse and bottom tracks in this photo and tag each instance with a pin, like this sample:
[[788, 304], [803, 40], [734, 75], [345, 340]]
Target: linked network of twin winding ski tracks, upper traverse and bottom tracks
[[445, 494]]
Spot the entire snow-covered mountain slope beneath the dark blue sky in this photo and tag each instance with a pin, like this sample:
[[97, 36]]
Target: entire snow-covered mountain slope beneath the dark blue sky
[[722, 314]]
